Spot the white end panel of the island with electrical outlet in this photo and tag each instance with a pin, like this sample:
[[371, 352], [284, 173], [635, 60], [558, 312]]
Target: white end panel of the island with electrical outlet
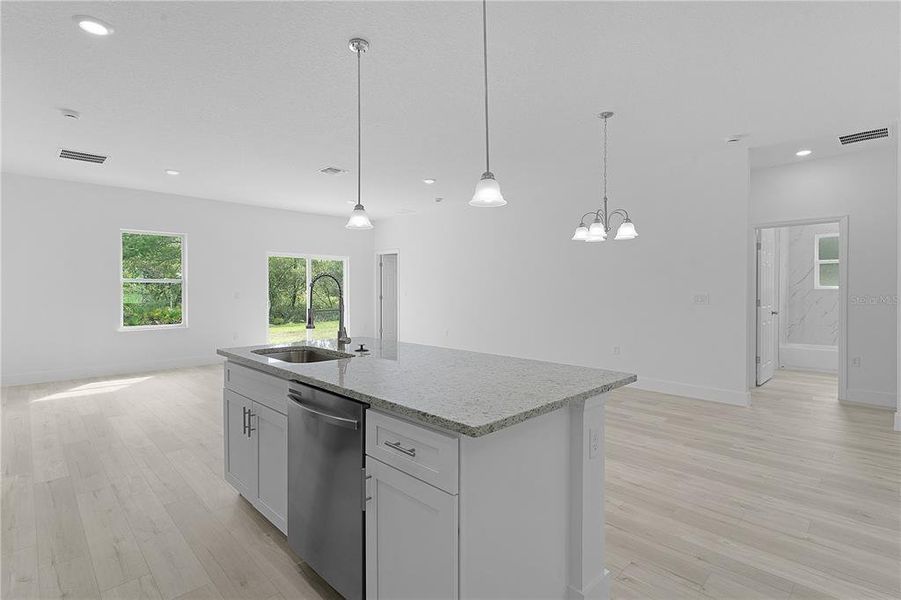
[[531, 508]]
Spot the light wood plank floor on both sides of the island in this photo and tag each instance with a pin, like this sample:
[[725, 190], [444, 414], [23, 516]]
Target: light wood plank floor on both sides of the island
[[112, 488]]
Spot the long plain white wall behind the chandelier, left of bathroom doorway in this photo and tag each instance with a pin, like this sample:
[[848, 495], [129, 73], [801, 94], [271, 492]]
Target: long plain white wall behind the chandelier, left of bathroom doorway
[[510, 281]]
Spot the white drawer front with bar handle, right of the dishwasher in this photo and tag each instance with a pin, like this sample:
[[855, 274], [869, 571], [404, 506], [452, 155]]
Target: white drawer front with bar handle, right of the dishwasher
[[423, 453]]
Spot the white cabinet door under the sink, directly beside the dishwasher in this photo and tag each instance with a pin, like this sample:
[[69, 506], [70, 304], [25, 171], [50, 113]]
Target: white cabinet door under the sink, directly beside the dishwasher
[[270, 430]]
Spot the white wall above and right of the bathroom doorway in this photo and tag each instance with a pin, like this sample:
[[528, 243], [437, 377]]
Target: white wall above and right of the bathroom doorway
[[862, 185]]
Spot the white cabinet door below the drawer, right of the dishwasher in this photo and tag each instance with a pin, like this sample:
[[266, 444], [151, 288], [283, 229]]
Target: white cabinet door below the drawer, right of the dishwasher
[[411, 537]]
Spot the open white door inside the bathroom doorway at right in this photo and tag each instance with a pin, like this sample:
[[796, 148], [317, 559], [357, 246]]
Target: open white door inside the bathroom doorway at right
[[766, 305]]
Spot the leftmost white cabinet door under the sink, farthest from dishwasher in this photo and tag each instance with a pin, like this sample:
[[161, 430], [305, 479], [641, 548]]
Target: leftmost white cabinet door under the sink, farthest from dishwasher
[[240, 447]]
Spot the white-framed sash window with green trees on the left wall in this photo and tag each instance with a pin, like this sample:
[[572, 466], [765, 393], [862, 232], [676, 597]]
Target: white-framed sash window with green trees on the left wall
[[152, 280]]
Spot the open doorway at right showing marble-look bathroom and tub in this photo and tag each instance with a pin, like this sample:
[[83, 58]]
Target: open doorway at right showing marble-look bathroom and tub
[[801, 302]]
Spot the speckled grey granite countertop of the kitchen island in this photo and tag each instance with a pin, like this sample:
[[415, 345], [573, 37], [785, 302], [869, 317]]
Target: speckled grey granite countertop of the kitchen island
[[465, 392]]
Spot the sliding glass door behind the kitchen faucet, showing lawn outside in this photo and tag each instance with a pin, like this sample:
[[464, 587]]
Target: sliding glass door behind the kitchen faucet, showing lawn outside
[[289, 282]]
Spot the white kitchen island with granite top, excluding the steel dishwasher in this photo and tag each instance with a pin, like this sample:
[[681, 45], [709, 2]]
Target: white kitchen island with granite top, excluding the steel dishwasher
[[483, 473]]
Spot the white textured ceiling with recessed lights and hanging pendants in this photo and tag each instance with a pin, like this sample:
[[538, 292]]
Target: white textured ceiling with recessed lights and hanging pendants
[[250, 99]]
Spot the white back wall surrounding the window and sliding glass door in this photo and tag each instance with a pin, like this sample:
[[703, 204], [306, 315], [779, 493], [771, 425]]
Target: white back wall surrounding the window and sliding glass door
[[60, 261]]
